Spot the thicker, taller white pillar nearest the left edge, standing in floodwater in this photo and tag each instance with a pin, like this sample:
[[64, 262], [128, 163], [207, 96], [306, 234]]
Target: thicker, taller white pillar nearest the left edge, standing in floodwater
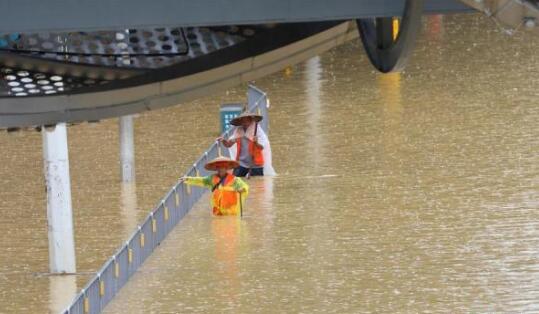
[[59, 211]]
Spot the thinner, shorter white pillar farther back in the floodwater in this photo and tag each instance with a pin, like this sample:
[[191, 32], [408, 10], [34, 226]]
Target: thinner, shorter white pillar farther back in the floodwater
[[127, 149]]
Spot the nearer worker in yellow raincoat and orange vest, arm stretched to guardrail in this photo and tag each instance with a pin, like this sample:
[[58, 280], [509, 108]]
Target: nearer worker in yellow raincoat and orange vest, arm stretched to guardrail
[[228, 191]]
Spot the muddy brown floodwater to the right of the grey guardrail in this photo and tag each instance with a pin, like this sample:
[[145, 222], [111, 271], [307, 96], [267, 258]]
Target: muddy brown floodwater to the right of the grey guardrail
[[414, 192]]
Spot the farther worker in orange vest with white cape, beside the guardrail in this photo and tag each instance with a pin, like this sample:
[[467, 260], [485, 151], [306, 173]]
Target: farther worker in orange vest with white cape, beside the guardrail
[[250, 141]]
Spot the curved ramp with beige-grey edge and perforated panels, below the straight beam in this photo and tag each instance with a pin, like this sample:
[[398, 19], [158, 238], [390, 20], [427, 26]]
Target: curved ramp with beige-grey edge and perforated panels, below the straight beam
[[95, 81]]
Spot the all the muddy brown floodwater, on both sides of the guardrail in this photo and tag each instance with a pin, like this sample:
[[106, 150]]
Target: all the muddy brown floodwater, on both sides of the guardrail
[[412, 192]]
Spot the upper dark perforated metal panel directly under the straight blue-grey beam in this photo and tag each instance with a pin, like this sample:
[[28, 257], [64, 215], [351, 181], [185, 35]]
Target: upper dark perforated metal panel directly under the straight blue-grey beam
[[140, 48]]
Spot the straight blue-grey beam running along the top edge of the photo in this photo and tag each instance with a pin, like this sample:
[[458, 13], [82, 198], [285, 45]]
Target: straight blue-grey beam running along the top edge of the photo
[[80, 15]]
